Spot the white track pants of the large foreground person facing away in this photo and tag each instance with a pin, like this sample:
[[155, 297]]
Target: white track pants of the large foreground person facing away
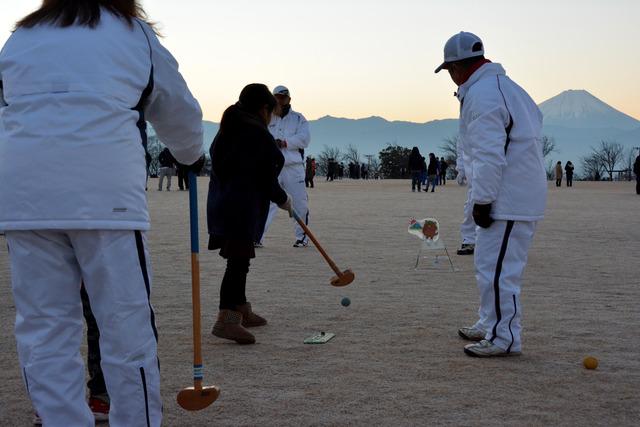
[[47, 268]]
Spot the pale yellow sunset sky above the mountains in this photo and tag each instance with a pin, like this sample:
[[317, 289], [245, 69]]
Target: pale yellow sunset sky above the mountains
[[361, 58]]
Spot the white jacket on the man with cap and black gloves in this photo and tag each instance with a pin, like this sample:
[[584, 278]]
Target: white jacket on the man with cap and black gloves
[[507, 169]]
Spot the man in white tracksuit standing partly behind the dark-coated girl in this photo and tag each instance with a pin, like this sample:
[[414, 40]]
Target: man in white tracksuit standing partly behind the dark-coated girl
[[291, 132]]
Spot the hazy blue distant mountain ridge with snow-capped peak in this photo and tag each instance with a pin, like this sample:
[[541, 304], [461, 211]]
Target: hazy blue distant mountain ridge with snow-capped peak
[[576, 120]]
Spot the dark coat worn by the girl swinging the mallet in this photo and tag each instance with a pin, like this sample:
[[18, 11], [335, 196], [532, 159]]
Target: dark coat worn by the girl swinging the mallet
[[244, 178]]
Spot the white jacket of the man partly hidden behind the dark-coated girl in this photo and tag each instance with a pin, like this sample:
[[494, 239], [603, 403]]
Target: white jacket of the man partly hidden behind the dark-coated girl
[[294, 129]]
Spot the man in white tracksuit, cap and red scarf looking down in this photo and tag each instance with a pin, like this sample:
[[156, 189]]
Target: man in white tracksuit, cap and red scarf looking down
[[501, 128]]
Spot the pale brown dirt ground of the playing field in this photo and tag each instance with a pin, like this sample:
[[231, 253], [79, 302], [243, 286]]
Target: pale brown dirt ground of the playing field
[[396, 359]]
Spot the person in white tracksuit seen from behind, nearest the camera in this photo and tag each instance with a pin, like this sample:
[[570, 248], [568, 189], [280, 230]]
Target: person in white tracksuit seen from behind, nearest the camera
[[78, 83]]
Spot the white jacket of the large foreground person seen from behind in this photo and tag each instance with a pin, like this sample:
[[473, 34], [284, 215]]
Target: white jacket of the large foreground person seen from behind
[[71, 153]]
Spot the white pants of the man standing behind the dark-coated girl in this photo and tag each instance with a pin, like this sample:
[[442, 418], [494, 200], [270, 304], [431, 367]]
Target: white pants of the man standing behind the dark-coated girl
[[292, 181]]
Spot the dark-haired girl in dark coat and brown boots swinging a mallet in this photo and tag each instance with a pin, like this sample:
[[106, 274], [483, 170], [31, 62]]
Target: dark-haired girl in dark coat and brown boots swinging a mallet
[[244, 180]]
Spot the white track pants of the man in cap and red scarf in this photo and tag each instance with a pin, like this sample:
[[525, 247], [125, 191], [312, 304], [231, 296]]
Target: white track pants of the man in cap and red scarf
[[500, 258]]
